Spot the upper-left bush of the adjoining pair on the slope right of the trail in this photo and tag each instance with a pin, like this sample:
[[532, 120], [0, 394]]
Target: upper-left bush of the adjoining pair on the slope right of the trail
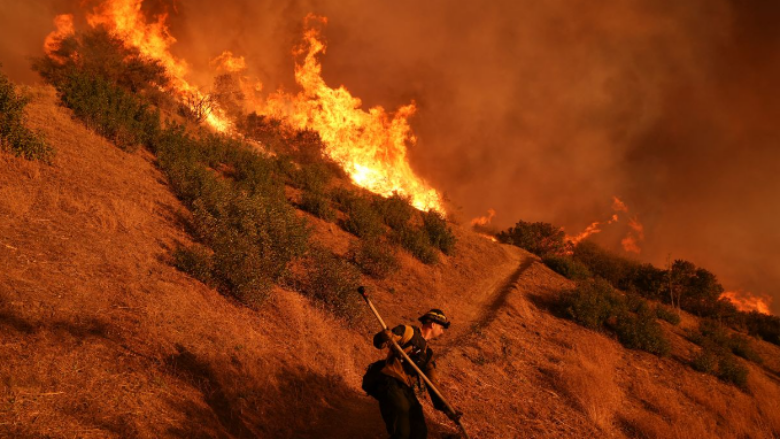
[[592, 303]]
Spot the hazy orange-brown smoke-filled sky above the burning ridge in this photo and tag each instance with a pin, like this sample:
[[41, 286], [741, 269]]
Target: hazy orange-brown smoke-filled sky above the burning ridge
[[542, 111]]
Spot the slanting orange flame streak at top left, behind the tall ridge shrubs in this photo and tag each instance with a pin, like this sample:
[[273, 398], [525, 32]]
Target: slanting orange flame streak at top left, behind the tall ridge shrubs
[[124, 19]]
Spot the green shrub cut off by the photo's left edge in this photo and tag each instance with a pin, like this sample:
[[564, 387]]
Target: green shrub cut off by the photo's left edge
[[14, 136]]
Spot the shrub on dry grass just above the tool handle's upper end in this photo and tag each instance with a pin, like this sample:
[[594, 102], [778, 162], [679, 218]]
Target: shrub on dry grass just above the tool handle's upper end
[[333, 282]]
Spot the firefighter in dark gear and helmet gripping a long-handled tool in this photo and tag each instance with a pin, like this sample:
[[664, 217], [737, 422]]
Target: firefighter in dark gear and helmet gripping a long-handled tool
[[399, 384]]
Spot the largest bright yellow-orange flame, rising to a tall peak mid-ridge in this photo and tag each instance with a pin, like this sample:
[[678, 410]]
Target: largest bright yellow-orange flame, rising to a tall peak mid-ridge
[[370, 145]]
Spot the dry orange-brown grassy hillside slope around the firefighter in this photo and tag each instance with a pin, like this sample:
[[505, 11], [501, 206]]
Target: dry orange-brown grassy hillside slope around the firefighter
[[103, 338]]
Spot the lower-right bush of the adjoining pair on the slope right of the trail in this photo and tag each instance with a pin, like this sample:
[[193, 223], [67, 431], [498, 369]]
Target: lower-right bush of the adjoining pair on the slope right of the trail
[[641, 331]]
